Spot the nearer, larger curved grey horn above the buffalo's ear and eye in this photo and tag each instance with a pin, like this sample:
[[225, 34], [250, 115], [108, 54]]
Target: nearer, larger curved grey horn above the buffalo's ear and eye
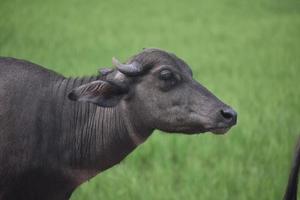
[[132, 69]]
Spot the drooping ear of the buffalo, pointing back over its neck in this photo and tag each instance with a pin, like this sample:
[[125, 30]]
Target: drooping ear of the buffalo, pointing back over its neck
[[101, 93]]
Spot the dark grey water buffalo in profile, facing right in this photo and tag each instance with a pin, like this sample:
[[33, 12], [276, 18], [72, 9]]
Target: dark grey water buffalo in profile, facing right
[[57, 132]]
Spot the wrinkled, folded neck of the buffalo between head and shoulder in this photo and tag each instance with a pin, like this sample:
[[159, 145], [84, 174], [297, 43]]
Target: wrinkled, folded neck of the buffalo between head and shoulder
[[92, 138]]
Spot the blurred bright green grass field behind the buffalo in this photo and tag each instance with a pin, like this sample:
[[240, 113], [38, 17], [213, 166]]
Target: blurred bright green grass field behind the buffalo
[[246, 52]]
